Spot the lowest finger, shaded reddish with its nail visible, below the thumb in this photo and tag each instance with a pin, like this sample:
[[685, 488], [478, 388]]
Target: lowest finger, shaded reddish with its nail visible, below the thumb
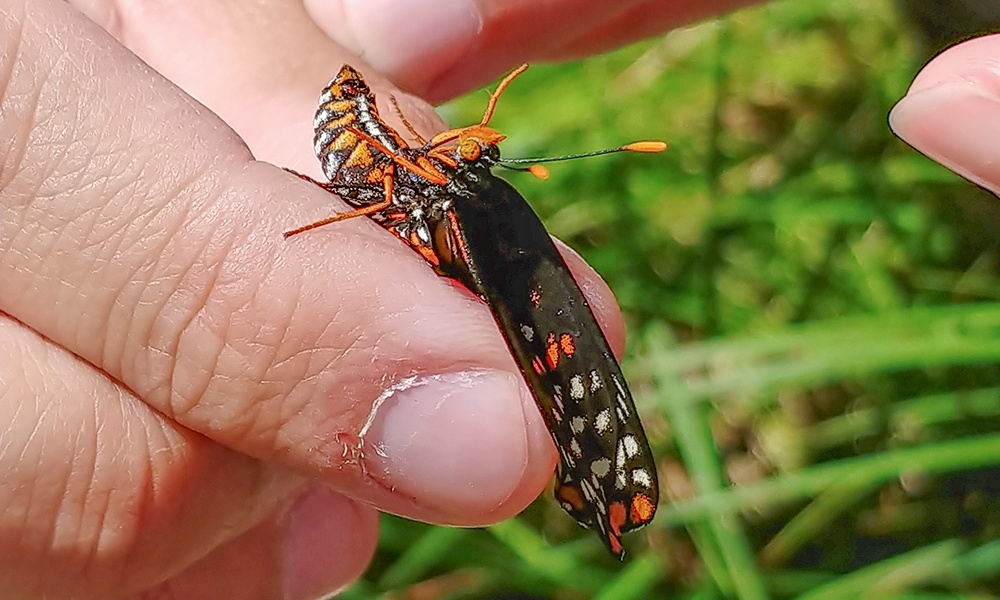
[[310, 550]]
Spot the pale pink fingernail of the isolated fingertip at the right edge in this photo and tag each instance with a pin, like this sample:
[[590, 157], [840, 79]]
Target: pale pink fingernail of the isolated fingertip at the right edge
[[956, 123]]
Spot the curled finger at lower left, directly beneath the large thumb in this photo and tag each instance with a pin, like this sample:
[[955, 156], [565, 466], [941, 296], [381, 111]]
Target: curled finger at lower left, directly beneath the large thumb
[[103, 490]]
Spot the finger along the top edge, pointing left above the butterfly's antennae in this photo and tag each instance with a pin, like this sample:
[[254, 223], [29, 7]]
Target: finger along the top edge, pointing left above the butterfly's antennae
[[441, 50]]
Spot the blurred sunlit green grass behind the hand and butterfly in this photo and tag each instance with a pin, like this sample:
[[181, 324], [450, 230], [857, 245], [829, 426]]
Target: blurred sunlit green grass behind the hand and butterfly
[[813, 313]]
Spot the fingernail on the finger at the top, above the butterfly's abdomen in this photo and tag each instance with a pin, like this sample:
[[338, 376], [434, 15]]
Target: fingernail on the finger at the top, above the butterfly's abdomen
[[403, 35]]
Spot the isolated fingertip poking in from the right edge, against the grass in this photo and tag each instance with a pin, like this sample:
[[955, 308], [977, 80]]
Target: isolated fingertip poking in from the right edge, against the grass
[[951, 112]]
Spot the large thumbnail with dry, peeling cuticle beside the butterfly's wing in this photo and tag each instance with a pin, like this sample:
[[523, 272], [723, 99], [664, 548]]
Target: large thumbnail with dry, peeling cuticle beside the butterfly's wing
[[456, 442]]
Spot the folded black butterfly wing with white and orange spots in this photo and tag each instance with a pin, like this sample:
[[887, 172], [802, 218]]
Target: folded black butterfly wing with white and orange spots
[[496, 246]]
